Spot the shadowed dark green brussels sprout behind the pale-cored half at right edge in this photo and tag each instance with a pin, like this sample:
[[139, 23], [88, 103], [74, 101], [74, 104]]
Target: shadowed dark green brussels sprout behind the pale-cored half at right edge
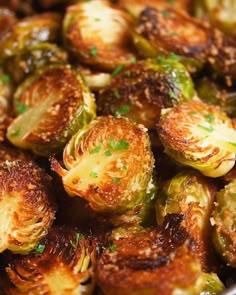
[[215, 93]]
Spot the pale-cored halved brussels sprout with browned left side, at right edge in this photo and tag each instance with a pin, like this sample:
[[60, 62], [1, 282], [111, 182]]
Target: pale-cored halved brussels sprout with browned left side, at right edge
[[199, 135]]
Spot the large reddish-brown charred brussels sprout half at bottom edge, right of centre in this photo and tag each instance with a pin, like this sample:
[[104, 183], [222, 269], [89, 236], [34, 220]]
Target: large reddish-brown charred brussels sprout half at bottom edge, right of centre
[[154, 262]]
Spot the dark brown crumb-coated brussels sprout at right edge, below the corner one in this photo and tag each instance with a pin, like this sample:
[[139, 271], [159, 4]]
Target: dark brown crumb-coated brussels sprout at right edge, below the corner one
[[222, 57]]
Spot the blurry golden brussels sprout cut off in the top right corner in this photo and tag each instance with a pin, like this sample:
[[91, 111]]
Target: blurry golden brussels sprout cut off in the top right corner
[[220, 13]]
